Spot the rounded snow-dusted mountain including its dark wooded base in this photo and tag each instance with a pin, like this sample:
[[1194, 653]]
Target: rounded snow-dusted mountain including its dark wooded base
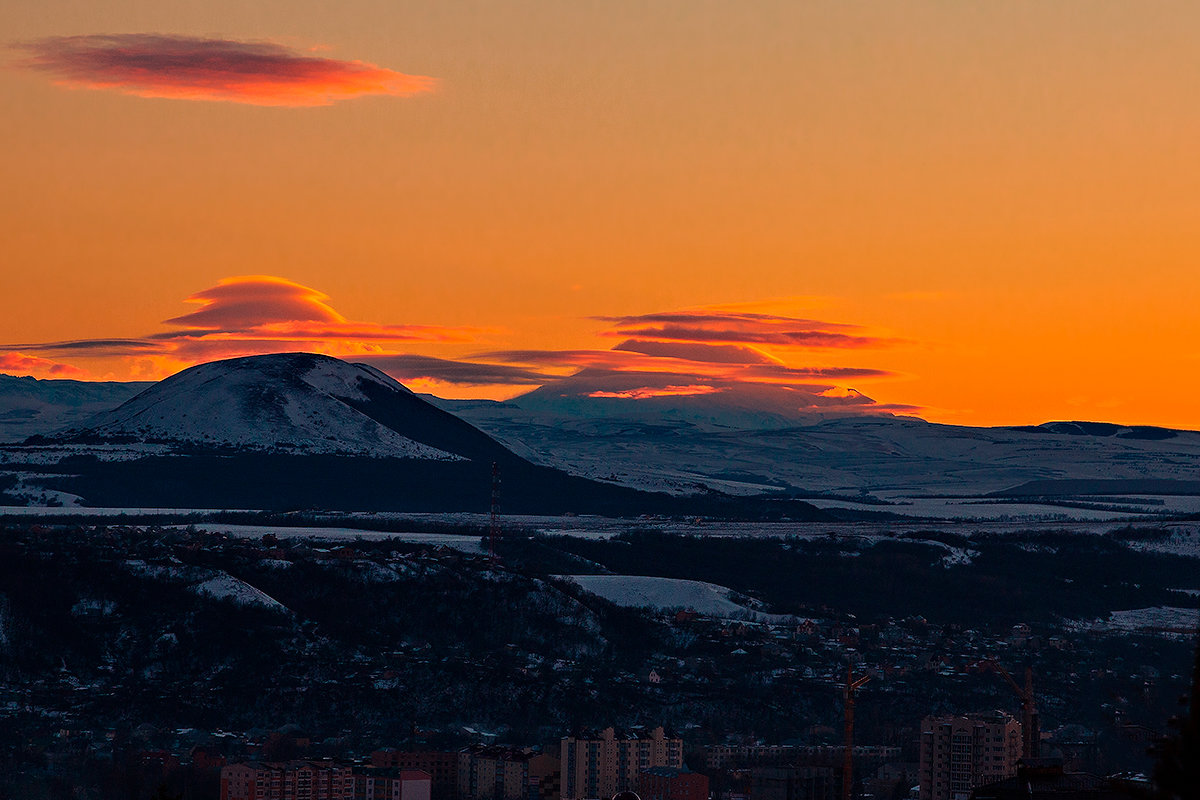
[[303, 431]]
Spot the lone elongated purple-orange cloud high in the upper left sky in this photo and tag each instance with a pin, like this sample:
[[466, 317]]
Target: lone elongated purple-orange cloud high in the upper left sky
[[189, 68]]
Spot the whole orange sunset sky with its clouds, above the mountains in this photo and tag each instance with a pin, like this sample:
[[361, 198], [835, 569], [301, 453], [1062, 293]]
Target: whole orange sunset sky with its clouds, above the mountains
[[986, 213]]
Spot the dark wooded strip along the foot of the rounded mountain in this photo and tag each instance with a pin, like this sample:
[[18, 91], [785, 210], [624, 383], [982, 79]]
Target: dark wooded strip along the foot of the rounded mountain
[[347, 484]]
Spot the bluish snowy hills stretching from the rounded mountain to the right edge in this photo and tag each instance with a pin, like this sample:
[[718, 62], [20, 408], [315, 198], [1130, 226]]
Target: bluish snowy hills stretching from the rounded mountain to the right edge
[[686, 448]]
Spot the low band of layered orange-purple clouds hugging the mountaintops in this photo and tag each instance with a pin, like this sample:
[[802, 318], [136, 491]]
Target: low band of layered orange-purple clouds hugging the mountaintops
[[262, 314]]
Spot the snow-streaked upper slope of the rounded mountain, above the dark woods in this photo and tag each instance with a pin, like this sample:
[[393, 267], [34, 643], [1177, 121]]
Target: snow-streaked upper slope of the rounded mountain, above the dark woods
[[298, 404]]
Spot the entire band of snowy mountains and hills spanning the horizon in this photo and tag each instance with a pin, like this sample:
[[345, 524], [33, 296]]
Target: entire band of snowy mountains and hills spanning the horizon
[[301, 430]]
